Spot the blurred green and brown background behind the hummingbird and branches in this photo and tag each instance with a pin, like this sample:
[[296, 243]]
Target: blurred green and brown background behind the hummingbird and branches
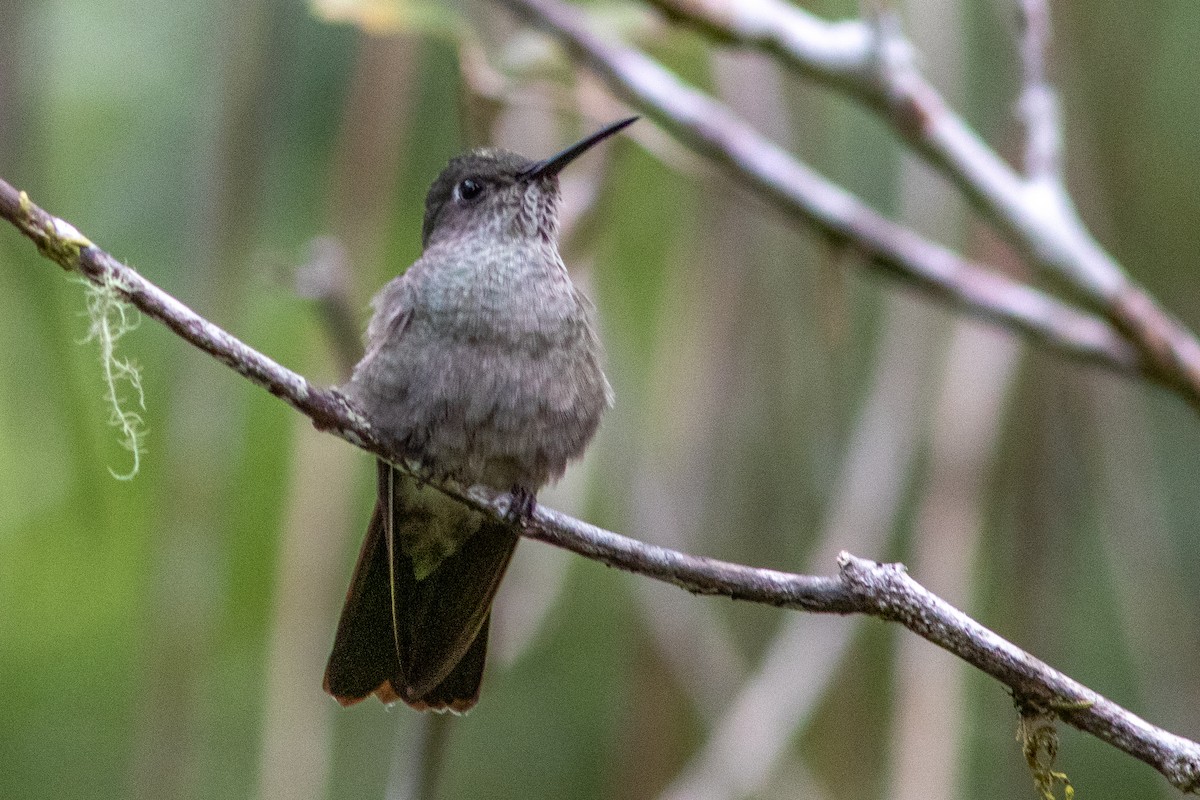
[[165, 637]]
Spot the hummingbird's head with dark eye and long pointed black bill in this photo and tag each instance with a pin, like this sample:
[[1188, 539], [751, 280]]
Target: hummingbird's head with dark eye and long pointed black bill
[[500, 194]]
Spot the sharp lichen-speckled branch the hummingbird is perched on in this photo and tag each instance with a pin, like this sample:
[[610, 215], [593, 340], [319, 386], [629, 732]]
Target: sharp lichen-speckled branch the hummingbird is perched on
[[862, 587]]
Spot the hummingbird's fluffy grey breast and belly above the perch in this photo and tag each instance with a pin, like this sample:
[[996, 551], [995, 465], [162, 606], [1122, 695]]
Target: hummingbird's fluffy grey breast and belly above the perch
[[485, 365]]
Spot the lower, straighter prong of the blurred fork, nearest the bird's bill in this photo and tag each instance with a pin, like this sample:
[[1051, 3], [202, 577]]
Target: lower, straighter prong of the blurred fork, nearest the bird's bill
[[711, 129]]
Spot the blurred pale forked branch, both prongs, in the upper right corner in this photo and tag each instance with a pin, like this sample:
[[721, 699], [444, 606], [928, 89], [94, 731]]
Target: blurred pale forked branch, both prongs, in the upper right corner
[[874, 64]]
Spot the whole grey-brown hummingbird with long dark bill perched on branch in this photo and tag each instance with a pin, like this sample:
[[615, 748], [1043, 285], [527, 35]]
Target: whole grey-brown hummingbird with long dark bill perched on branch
[[483, 364]]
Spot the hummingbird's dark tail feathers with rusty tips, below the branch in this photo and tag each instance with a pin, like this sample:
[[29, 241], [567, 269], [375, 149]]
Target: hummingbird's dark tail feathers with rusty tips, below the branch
[[423, 642]]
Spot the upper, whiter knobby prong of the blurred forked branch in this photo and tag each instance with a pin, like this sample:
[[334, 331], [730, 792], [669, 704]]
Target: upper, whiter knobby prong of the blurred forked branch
[[871, 62]]
